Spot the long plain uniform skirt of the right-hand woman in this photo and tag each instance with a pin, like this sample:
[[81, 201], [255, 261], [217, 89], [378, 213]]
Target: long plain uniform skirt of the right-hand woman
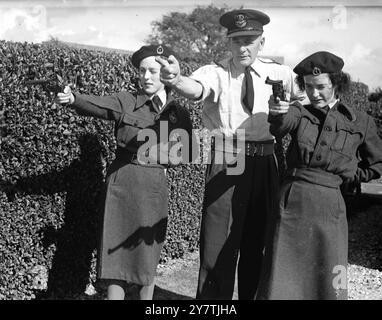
[[306, 254]]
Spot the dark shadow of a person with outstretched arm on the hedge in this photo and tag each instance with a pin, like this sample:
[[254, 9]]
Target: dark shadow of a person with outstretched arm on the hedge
[[77, 238]]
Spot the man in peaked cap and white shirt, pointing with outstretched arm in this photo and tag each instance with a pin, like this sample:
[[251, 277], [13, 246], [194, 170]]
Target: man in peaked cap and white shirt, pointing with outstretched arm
[[236, 207]]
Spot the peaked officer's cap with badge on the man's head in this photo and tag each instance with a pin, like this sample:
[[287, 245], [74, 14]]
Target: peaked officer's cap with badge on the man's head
[[244, 22]]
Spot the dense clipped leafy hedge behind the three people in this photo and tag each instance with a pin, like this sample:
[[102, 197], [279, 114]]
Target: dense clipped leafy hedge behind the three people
[[52, 168]]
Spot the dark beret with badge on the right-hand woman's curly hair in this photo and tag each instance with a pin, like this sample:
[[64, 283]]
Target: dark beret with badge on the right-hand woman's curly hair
[[319, 62]]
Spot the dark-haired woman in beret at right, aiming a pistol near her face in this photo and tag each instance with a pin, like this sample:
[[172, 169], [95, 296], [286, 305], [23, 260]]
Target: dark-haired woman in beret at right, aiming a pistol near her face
[[332, 144]]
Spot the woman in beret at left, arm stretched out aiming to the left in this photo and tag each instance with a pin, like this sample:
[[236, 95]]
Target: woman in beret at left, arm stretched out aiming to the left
[[135, 199]]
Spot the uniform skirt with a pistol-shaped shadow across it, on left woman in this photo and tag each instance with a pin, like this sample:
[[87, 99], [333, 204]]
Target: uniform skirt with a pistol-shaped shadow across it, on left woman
[[134, 222]]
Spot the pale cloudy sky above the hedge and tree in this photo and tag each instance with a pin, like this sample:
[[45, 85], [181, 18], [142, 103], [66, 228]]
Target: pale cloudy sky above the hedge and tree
[[350, 29]]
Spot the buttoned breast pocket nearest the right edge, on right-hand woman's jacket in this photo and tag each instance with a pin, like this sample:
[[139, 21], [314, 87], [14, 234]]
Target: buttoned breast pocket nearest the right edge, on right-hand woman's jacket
[[347, 139]]
